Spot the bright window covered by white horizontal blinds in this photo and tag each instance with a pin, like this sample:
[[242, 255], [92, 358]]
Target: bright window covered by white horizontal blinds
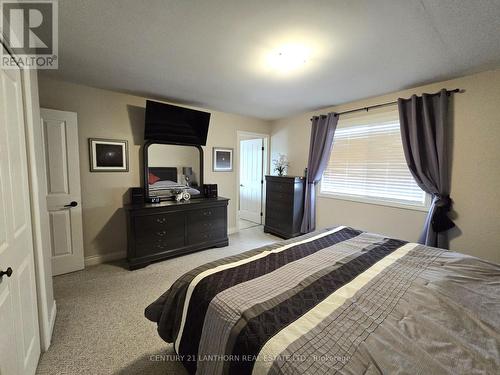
[[367, 163]]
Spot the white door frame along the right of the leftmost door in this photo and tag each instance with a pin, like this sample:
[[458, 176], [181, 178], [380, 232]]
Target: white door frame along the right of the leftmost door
[[37, 189]]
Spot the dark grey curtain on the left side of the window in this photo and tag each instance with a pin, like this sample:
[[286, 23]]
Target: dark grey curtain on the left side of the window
[[322, 131]]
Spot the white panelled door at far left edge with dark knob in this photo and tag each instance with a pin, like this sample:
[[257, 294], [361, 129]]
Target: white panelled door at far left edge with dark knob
[[19, 333]]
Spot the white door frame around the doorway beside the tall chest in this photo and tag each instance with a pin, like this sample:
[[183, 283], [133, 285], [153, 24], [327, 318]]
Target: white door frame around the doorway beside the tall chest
[[241, 135]]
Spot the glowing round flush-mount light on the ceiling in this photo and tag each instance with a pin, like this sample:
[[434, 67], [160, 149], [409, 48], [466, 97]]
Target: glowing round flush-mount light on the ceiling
[[288, 58]]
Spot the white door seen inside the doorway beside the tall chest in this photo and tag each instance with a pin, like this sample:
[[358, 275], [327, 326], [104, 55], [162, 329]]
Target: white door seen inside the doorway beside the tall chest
[[251, 151]]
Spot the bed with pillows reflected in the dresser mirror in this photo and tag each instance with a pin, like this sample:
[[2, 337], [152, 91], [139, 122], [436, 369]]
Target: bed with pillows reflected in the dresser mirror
[[164, 180]]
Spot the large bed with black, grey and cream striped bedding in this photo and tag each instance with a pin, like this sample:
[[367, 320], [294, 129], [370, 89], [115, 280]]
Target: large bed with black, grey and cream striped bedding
[[336, 301]]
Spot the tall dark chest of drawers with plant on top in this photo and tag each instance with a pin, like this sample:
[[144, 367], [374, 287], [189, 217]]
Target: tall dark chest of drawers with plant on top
[[284, 205]]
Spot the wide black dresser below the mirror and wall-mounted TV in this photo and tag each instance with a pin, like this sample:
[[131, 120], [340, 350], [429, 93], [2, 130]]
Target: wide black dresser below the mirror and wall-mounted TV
[[170, 228]]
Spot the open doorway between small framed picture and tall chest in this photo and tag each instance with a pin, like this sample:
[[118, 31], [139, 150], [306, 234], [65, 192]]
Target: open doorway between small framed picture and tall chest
[[252, 156]]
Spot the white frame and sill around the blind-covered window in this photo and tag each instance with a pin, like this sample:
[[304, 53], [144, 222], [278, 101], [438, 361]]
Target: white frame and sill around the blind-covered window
[[379, 201]]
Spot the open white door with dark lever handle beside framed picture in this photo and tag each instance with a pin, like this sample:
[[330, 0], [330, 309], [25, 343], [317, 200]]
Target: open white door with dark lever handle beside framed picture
[[60, 140]]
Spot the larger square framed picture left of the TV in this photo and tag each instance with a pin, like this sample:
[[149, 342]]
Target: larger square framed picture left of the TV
[[108, 155]]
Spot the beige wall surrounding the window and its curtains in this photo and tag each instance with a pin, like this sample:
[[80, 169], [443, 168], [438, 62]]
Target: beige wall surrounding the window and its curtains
[[475, 170]]
